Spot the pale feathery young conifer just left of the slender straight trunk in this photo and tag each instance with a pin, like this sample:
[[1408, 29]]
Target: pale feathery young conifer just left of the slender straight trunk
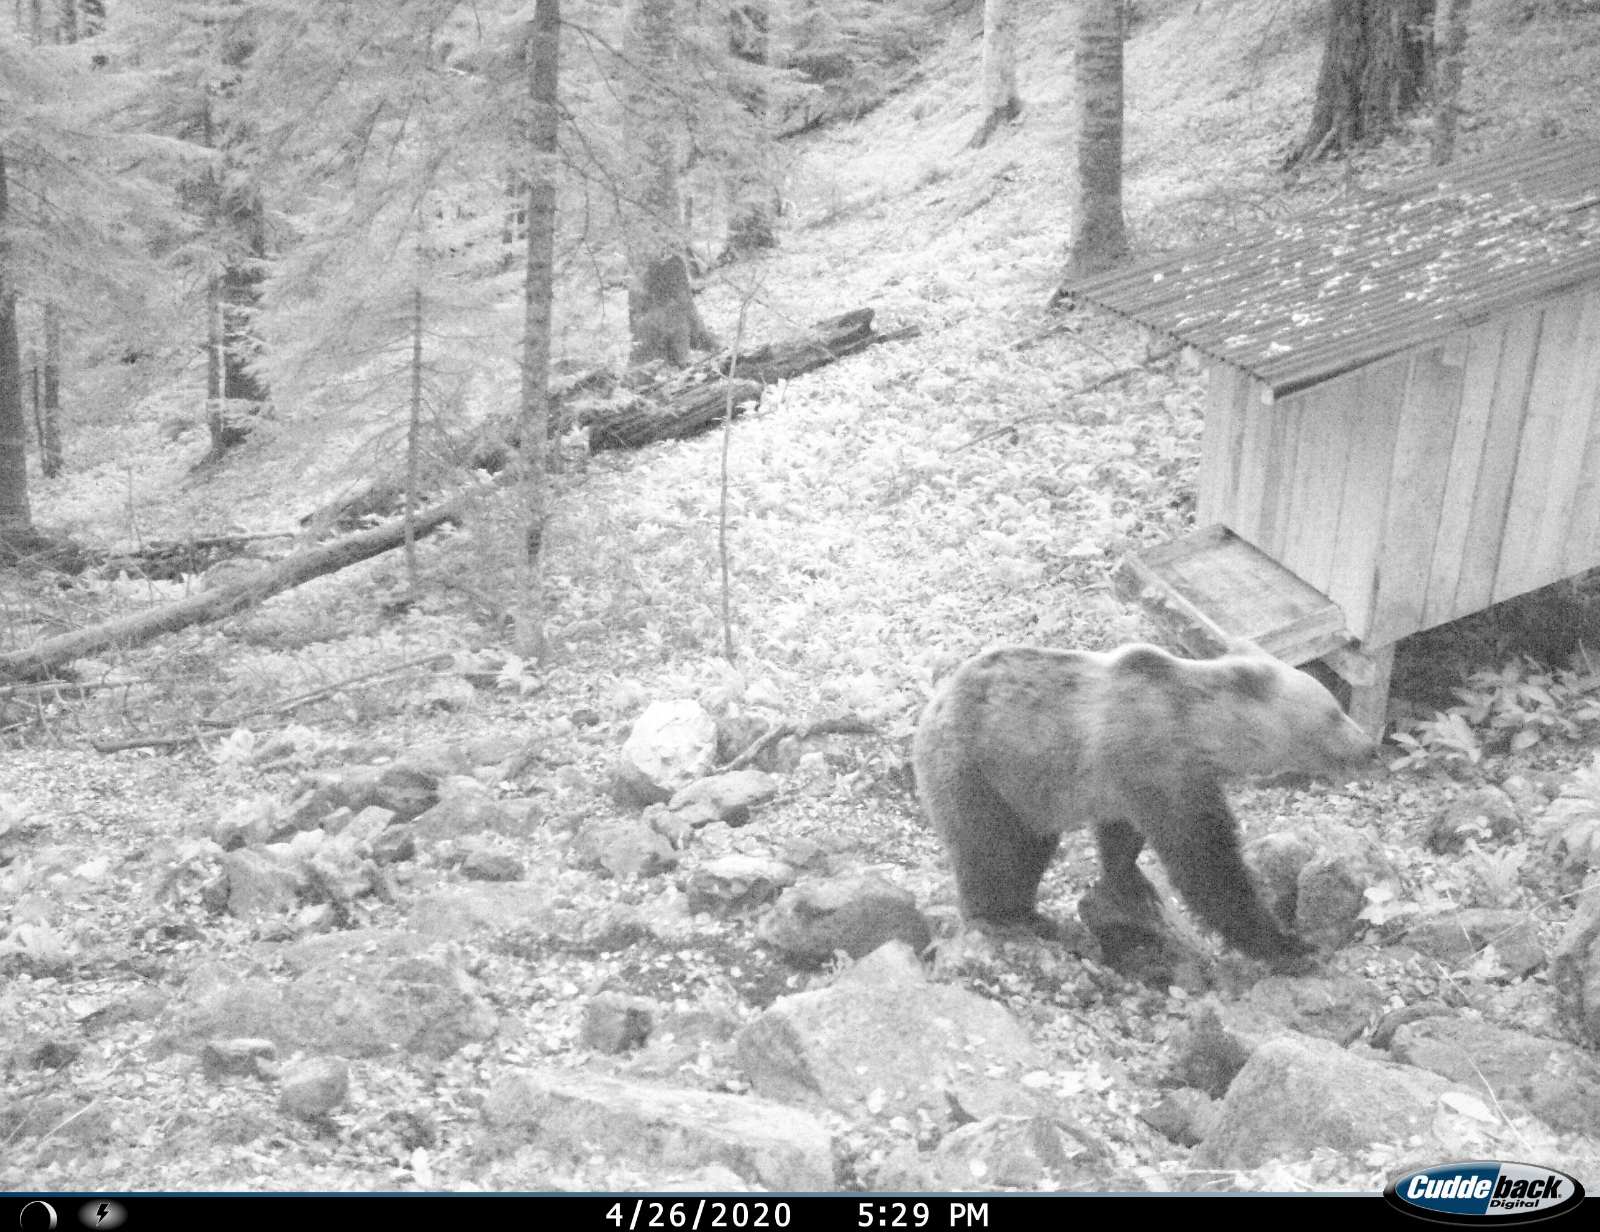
[[383, 306]]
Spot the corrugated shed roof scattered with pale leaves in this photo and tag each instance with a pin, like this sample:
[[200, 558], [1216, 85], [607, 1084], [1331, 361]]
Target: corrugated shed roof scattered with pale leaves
[[1321, 294]]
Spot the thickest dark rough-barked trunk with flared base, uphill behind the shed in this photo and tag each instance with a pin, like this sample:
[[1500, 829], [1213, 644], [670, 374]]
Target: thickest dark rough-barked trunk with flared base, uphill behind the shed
[[1375, 68]]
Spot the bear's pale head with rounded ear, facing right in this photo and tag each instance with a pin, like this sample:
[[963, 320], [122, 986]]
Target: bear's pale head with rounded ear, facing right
[[1273, 719]]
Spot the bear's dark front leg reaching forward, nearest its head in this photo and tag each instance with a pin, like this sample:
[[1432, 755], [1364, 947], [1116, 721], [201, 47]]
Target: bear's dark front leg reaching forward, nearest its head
[[1199, 847]]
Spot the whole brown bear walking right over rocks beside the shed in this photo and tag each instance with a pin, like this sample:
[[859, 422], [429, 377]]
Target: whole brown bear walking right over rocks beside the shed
[[1022, 745]]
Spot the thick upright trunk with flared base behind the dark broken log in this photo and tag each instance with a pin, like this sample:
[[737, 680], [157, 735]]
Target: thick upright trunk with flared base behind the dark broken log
[[662, 318]]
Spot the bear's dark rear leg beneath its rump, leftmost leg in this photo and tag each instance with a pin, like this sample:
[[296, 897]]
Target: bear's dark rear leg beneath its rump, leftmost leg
[[999, 862]]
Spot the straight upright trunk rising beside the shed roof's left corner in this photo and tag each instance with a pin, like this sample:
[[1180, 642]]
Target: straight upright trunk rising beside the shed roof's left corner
[[1098, 236]]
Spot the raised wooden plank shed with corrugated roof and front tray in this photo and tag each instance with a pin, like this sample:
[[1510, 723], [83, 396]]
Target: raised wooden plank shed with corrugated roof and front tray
[[1404, 412]]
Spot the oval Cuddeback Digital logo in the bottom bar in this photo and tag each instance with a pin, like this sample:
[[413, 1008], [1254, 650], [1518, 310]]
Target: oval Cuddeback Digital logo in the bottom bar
[[1486, 1193]]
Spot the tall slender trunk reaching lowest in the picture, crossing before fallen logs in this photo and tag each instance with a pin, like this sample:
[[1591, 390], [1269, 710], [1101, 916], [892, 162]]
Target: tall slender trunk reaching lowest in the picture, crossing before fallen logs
[[545, 66]]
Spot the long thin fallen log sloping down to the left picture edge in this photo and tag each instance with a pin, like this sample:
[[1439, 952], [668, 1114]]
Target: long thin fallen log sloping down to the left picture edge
[[46, 657]]
